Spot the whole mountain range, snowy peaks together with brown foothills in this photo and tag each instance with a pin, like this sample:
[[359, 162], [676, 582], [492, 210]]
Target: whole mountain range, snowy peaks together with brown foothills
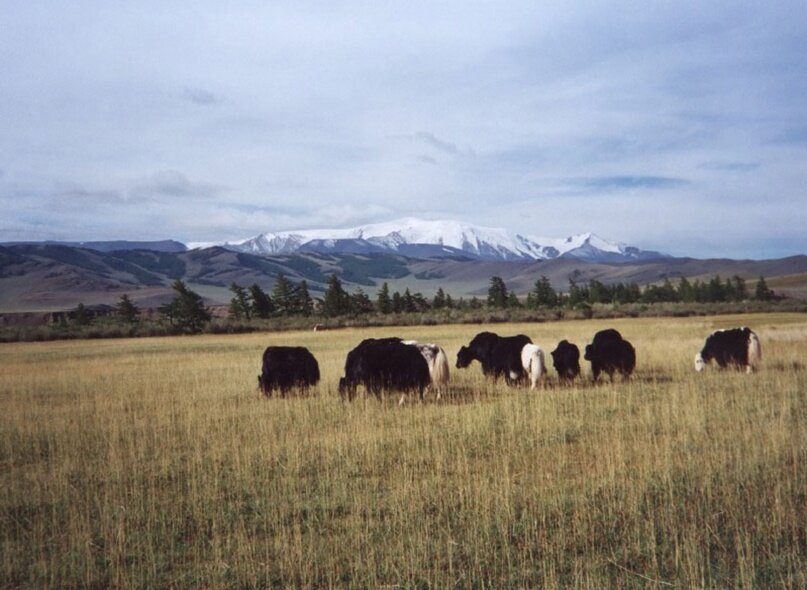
[[408, 253]]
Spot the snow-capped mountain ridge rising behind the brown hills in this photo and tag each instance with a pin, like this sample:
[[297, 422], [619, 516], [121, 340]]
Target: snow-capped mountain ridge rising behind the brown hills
[[419, 238]]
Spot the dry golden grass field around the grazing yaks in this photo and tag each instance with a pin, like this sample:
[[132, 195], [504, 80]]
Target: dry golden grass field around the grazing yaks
[[153, 463]]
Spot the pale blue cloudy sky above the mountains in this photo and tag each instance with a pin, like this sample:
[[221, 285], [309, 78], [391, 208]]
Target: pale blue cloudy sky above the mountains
[[676, 126]]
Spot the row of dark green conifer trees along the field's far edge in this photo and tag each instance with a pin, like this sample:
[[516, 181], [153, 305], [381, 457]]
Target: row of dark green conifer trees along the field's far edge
[[187, 313]]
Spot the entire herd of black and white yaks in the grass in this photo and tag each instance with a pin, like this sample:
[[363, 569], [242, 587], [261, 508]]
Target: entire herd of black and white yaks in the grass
[[393, 364]]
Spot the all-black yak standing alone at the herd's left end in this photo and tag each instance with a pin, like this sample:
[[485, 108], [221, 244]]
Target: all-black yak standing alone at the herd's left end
[[285, 368]]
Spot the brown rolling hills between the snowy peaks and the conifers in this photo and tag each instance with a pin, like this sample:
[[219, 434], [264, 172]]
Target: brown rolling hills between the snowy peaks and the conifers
[[46, 277]]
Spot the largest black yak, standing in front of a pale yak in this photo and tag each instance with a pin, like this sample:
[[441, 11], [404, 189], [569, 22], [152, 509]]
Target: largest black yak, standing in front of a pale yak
[[385, 364]]
